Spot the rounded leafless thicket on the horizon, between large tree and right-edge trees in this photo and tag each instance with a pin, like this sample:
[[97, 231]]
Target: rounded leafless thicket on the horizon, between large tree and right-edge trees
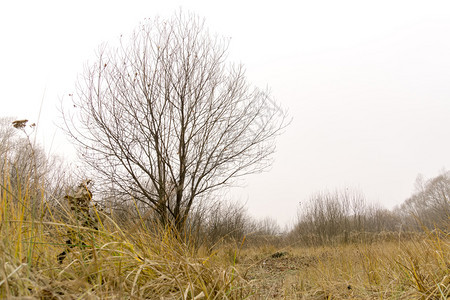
[[341, 217]]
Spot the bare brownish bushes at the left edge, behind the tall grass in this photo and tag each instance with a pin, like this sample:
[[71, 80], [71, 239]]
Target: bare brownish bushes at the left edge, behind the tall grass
[[26, 170]]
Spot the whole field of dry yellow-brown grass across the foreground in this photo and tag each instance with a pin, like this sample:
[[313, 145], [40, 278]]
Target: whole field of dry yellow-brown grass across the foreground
[[136, 262]]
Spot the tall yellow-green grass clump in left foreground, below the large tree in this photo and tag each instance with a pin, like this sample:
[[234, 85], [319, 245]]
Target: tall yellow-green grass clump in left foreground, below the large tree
[[127, 261]]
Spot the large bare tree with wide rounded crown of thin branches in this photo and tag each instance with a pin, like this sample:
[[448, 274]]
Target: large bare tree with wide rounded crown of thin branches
[[165, 119]]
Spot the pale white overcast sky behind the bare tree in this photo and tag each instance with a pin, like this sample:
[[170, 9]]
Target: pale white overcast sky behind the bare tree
[[366, 82]]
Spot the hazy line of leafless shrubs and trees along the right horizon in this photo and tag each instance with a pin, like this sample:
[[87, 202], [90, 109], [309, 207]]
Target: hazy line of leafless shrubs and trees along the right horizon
[[346, 216]]
